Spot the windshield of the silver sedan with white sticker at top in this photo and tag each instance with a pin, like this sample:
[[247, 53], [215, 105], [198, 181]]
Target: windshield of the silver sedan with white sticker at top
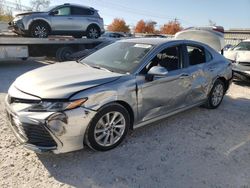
[[122, 57]]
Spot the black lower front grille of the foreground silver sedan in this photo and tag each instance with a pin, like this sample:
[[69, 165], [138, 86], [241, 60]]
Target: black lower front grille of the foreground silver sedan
[[33, 134]]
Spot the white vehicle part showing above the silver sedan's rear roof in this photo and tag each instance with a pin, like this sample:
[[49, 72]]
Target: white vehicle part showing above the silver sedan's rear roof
[[212, 36]]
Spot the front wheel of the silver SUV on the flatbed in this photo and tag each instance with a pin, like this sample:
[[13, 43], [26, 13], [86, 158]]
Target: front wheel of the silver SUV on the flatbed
[[39, 30]]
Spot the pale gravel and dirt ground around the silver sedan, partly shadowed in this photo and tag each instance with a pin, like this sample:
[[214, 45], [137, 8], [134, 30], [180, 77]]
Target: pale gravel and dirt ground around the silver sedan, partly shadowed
[[197, 148]]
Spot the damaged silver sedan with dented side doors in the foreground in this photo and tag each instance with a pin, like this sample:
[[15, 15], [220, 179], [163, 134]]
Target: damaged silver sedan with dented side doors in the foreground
[[125, 85]]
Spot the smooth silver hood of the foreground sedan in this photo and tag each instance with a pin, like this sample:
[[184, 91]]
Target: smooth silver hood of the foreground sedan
[[62, 80]]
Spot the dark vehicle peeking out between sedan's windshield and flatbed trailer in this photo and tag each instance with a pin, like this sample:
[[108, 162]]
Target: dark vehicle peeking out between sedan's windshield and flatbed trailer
[[83, 53]]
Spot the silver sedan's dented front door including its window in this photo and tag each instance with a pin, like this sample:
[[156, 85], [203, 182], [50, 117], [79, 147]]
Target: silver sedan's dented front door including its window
[[163, 94]]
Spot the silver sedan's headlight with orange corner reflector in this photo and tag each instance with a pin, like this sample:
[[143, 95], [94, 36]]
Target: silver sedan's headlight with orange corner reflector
[[56, 106]]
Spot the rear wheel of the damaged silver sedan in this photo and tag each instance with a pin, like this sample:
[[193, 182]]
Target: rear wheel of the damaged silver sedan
[[216, 95]]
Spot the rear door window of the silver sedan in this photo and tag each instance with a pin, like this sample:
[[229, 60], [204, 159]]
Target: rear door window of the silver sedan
[[196, 55]]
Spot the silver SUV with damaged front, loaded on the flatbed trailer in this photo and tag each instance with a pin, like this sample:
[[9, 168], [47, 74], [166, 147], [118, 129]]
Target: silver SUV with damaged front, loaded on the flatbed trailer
[[66, 19]]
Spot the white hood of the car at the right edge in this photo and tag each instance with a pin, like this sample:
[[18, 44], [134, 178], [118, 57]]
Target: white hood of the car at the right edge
[[240, 56]]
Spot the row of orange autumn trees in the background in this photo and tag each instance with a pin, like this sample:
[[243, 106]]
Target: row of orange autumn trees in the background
[[142, 26]]
